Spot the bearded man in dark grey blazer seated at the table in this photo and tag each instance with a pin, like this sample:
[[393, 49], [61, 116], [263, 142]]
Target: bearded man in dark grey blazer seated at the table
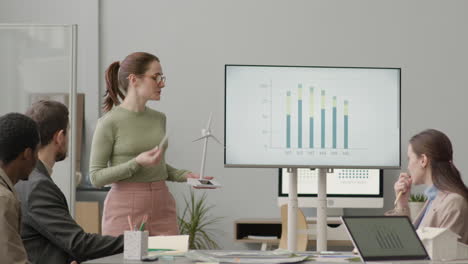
[[49, 233]]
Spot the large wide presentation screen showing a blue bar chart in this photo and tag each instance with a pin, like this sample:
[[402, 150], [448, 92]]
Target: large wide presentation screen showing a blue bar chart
[[312, 117]]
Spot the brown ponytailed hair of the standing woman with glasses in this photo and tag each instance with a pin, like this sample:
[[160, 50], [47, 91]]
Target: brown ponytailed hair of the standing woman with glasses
[[117, 76]]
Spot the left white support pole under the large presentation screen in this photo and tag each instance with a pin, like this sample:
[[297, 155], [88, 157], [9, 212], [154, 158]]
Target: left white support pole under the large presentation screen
[[292, 210]]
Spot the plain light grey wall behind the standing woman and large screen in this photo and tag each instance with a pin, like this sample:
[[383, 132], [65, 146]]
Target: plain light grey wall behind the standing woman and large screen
[[194, 39]]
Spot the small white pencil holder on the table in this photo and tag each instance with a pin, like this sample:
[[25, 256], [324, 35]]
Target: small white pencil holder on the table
[[135, 244]]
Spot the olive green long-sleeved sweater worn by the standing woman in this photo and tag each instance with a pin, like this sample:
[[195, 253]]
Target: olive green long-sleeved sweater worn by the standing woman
[[120, 136]]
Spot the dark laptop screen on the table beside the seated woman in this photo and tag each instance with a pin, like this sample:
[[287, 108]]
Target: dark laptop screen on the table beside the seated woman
[[385, 239]]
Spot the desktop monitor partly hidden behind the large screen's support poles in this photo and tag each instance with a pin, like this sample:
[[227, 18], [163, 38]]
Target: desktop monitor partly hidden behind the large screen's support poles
[[346, 188]]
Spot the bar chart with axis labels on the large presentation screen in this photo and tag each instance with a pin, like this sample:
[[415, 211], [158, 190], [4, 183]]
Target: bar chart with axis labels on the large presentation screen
[[309, 120]]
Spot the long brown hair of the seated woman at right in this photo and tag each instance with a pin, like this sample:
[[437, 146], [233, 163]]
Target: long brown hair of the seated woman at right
[[438, 149]]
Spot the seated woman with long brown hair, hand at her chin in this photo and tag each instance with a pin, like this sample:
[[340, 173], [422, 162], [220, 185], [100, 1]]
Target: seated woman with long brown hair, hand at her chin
[[430, 162]]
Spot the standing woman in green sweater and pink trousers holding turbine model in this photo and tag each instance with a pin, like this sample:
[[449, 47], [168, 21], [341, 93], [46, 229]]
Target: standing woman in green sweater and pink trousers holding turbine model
[[123, 151]]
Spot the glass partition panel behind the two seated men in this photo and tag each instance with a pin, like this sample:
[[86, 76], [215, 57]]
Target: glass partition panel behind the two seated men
[[39, 62]]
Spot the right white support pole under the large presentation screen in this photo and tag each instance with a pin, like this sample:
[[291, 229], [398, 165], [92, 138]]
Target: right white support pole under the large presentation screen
[[322, 209]]
